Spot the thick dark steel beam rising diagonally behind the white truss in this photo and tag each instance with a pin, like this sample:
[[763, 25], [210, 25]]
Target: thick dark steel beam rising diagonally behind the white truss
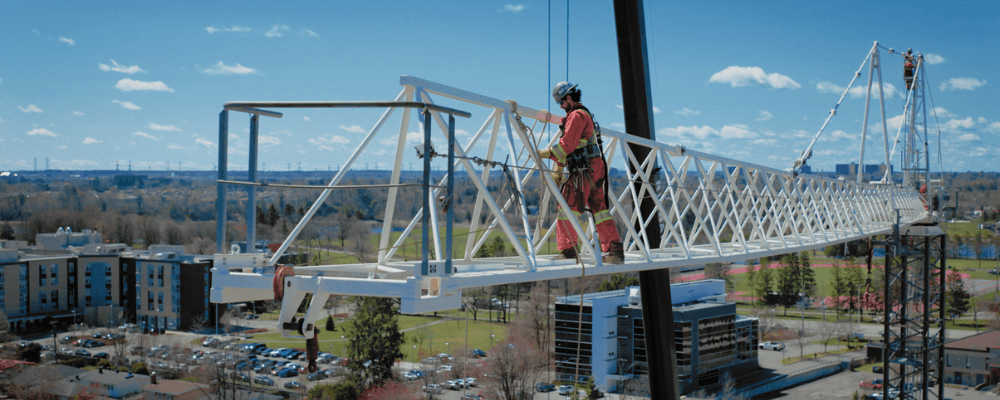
[[657, 306]]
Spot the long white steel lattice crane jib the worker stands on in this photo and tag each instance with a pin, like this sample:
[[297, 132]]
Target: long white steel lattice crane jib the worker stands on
[[709, 209]]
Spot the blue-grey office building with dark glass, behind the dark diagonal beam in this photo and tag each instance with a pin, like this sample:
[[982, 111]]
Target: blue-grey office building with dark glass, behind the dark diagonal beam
[[609, 342]]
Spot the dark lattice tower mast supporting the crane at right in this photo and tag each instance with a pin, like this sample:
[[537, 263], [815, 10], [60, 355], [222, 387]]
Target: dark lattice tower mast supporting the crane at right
[[913, 348]]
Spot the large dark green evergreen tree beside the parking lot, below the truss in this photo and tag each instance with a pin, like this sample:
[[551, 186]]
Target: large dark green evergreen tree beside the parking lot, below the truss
[[376, 338]]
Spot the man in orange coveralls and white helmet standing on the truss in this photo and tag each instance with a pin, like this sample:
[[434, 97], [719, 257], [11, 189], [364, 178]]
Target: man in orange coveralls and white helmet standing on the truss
[[579, 151]]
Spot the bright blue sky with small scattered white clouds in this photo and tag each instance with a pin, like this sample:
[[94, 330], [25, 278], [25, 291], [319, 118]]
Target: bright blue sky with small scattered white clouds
[[91, 84]]
